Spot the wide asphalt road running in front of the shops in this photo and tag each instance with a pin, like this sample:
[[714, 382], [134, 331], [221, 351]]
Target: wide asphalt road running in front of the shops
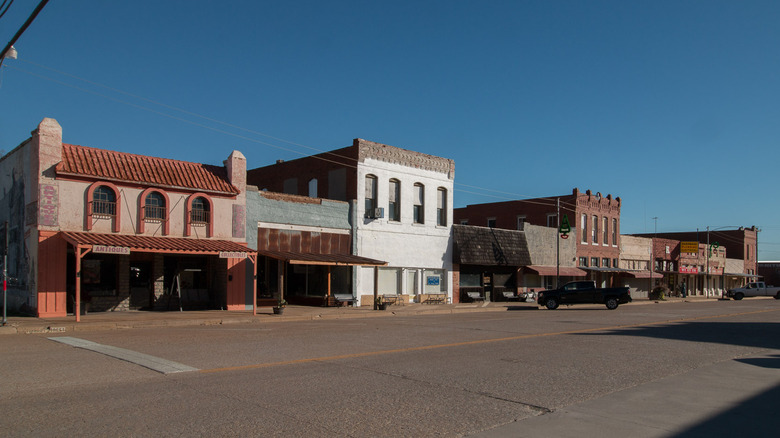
[[679, 369]]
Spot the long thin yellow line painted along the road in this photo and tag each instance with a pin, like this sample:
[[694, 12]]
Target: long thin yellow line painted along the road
[[476, 342]]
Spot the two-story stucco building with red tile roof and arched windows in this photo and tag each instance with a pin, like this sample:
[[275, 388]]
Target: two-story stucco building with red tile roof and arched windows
[[121, 231]]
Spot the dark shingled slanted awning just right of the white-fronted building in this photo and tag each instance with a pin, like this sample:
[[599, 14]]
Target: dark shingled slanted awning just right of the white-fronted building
[[489, 246]]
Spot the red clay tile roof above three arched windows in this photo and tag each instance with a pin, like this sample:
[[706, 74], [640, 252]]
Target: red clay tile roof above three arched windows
[[161, 172]]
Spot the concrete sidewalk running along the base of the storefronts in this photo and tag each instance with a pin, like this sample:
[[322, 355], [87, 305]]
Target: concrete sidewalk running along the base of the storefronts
[[142, 319]]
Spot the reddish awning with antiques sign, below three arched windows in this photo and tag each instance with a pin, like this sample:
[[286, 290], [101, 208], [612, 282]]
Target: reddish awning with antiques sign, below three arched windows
[[124, 244]]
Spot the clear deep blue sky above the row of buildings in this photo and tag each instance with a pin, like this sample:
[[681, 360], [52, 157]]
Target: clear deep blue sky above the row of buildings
[[674, 106]]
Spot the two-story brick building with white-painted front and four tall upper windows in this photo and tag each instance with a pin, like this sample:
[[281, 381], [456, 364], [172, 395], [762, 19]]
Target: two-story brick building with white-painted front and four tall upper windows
[[402, 212]]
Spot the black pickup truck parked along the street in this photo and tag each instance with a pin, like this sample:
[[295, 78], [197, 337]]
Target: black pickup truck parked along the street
[[584, 292]]
